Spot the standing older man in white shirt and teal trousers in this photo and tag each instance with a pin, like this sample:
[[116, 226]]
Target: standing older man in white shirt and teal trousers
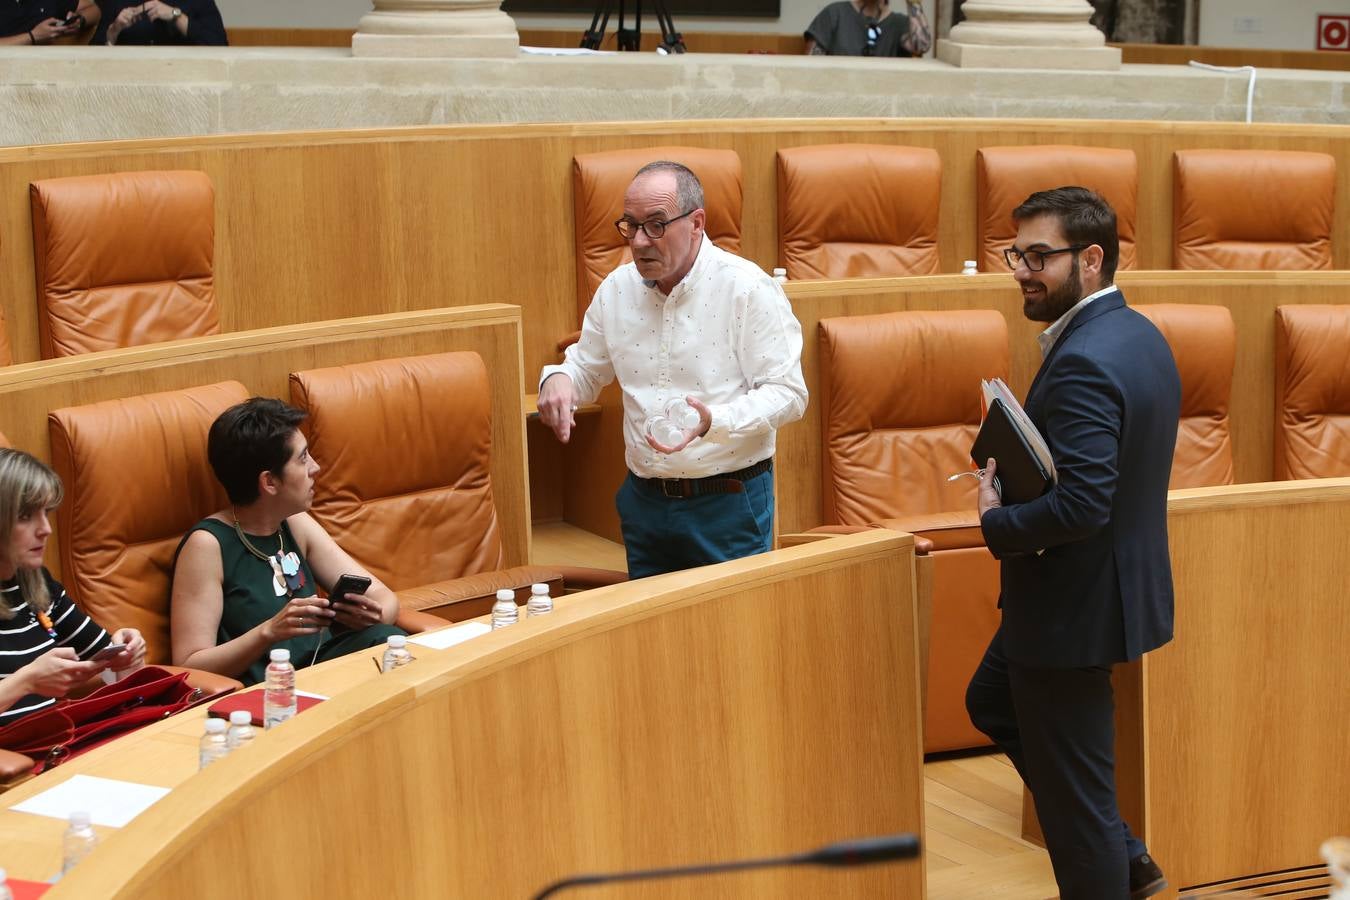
[[686, 320]]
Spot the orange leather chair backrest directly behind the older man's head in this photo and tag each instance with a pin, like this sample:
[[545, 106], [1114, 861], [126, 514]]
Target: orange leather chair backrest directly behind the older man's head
[[599, 186]]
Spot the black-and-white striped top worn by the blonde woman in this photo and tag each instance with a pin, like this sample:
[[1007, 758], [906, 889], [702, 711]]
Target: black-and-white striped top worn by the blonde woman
[[24, 639]]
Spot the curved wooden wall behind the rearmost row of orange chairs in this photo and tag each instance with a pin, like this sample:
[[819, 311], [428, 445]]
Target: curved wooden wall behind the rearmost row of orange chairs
[[313, 226]]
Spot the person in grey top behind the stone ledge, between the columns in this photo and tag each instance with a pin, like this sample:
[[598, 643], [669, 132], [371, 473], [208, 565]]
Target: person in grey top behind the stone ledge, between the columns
[[869, 29]]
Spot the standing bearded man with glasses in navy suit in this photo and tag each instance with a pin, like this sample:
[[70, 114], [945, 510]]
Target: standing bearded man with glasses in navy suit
[[1086, 577]]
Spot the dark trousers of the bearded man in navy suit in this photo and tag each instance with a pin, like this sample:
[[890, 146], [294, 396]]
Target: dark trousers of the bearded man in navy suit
[[1058, 729]]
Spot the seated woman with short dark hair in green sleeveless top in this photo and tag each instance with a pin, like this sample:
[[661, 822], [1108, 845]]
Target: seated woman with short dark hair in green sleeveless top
[[245, 580]]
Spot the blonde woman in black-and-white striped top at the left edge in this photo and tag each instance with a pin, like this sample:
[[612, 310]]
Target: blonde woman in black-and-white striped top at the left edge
[[47, 643]]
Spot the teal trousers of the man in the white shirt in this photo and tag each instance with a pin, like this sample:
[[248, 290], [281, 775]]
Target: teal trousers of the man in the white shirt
[[666, 535]]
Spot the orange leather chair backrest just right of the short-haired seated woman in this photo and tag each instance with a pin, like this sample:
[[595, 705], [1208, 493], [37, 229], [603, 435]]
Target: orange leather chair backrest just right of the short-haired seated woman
[[406, 446]]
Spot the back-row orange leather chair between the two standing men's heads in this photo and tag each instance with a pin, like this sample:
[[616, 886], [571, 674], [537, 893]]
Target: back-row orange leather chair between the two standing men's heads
[[858, 211]]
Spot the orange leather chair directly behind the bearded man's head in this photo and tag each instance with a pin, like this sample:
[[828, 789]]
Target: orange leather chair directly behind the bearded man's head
[[1008, 176]]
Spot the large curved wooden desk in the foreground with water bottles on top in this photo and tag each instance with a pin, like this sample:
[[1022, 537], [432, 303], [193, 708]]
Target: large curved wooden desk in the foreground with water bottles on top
[[723, 713]]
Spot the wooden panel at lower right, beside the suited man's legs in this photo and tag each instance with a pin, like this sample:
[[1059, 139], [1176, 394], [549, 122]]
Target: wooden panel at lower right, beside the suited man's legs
[[1247, 714]]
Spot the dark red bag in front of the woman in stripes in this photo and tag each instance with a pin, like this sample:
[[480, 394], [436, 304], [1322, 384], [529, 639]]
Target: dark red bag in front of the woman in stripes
[[71, 728]]
